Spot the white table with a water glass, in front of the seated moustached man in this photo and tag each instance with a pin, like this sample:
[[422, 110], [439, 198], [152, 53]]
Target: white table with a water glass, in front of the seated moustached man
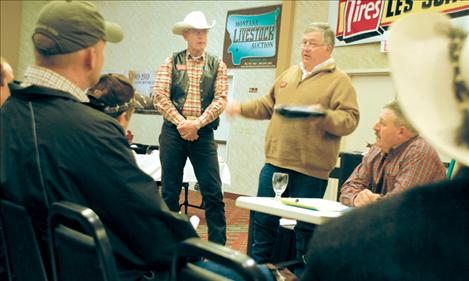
[[271, 206]]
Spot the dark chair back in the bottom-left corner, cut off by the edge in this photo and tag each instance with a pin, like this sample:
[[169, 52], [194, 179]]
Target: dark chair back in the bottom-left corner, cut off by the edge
[[21, 248]]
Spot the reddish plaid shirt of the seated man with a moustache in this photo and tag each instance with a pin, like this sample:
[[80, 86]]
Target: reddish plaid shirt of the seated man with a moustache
[[410, 164]]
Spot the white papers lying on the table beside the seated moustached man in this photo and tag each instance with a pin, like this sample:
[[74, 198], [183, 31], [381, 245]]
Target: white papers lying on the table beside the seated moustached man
[[315, 204]]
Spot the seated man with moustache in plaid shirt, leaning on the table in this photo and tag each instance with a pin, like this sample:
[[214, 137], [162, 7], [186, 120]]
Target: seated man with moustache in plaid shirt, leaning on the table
[[399, 160]]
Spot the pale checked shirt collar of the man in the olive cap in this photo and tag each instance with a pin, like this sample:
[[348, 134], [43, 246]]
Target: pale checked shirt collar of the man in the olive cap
[[40, 76]]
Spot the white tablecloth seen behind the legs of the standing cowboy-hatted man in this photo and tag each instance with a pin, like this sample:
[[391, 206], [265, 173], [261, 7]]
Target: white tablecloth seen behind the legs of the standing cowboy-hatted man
[[150, 164]]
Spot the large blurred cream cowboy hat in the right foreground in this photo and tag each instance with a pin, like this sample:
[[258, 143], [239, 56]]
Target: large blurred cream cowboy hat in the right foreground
[[423, 75]]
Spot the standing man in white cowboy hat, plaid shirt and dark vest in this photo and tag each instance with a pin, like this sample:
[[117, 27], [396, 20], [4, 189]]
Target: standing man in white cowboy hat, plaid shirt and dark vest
[[191, 92]]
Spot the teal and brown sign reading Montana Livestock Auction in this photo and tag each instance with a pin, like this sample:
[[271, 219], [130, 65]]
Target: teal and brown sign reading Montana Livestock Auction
[[251, 37]]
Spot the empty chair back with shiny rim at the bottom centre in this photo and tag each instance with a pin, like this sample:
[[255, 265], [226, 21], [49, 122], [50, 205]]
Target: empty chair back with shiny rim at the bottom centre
[[185, 267]]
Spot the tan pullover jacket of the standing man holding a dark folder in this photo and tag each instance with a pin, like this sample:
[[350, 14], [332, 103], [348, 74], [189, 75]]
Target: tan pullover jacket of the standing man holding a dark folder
[[296, 144]]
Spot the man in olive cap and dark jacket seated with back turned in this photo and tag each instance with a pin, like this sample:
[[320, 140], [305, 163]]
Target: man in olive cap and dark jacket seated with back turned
[[54, 147]]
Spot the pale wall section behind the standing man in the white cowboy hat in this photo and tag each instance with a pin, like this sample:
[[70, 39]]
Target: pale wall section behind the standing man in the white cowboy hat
[[149, 41]]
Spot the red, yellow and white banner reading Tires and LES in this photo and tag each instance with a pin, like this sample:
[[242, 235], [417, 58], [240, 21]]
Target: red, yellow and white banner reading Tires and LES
[[365, 21]]
